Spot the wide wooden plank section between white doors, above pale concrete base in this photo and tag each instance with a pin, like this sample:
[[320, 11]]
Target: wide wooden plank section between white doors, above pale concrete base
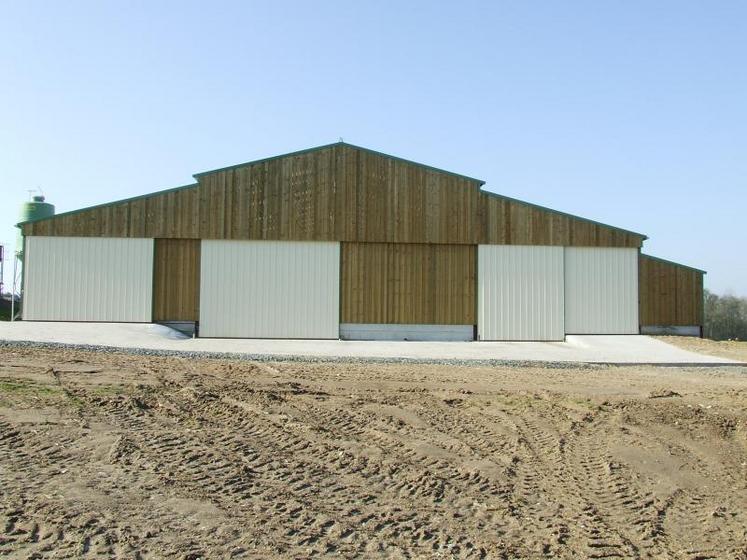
[[425, 284]]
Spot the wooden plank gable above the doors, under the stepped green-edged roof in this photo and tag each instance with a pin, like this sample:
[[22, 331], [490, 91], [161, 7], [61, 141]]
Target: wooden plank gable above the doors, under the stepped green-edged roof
[[337, 193]]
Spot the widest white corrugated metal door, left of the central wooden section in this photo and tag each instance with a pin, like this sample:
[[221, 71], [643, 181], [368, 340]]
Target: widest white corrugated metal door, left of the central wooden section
[[270, 289]]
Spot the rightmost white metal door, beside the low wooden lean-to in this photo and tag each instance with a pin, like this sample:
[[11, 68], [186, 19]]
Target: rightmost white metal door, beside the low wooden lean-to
[[601, 290]]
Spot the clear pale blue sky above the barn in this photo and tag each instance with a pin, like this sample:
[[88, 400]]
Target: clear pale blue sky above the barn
[[630, 113]]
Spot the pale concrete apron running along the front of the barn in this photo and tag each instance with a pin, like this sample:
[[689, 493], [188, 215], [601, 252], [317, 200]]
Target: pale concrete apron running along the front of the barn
[[610, 349]]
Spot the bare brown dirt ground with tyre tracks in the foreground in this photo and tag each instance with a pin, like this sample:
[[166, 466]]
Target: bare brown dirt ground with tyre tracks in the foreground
[[116, 455]]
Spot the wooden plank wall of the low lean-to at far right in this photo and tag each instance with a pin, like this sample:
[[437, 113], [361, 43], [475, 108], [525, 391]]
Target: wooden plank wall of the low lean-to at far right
[[670, 294]]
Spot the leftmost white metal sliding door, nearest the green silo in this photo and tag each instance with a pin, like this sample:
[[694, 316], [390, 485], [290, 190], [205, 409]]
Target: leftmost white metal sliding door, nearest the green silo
[[88, 279]]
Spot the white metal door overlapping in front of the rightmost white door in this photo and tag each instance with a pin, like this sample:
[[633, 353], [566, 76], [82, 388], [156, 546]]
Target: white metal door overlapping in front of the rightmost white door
[[520, 292]]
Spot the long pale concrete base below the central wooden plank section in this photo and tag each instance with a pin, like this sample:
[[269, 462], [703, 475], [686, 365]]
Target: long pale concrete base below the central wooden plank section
[[361, 331]]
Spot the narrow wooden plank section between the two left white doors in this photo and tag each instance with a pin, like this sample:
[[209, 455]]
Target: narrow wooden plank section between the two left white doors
[[176, 280]]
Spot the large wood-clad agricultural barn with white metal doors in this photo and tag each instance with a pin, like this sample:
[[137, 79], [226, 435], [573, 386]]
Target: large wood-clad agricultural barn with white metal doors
[[344, 242]]
